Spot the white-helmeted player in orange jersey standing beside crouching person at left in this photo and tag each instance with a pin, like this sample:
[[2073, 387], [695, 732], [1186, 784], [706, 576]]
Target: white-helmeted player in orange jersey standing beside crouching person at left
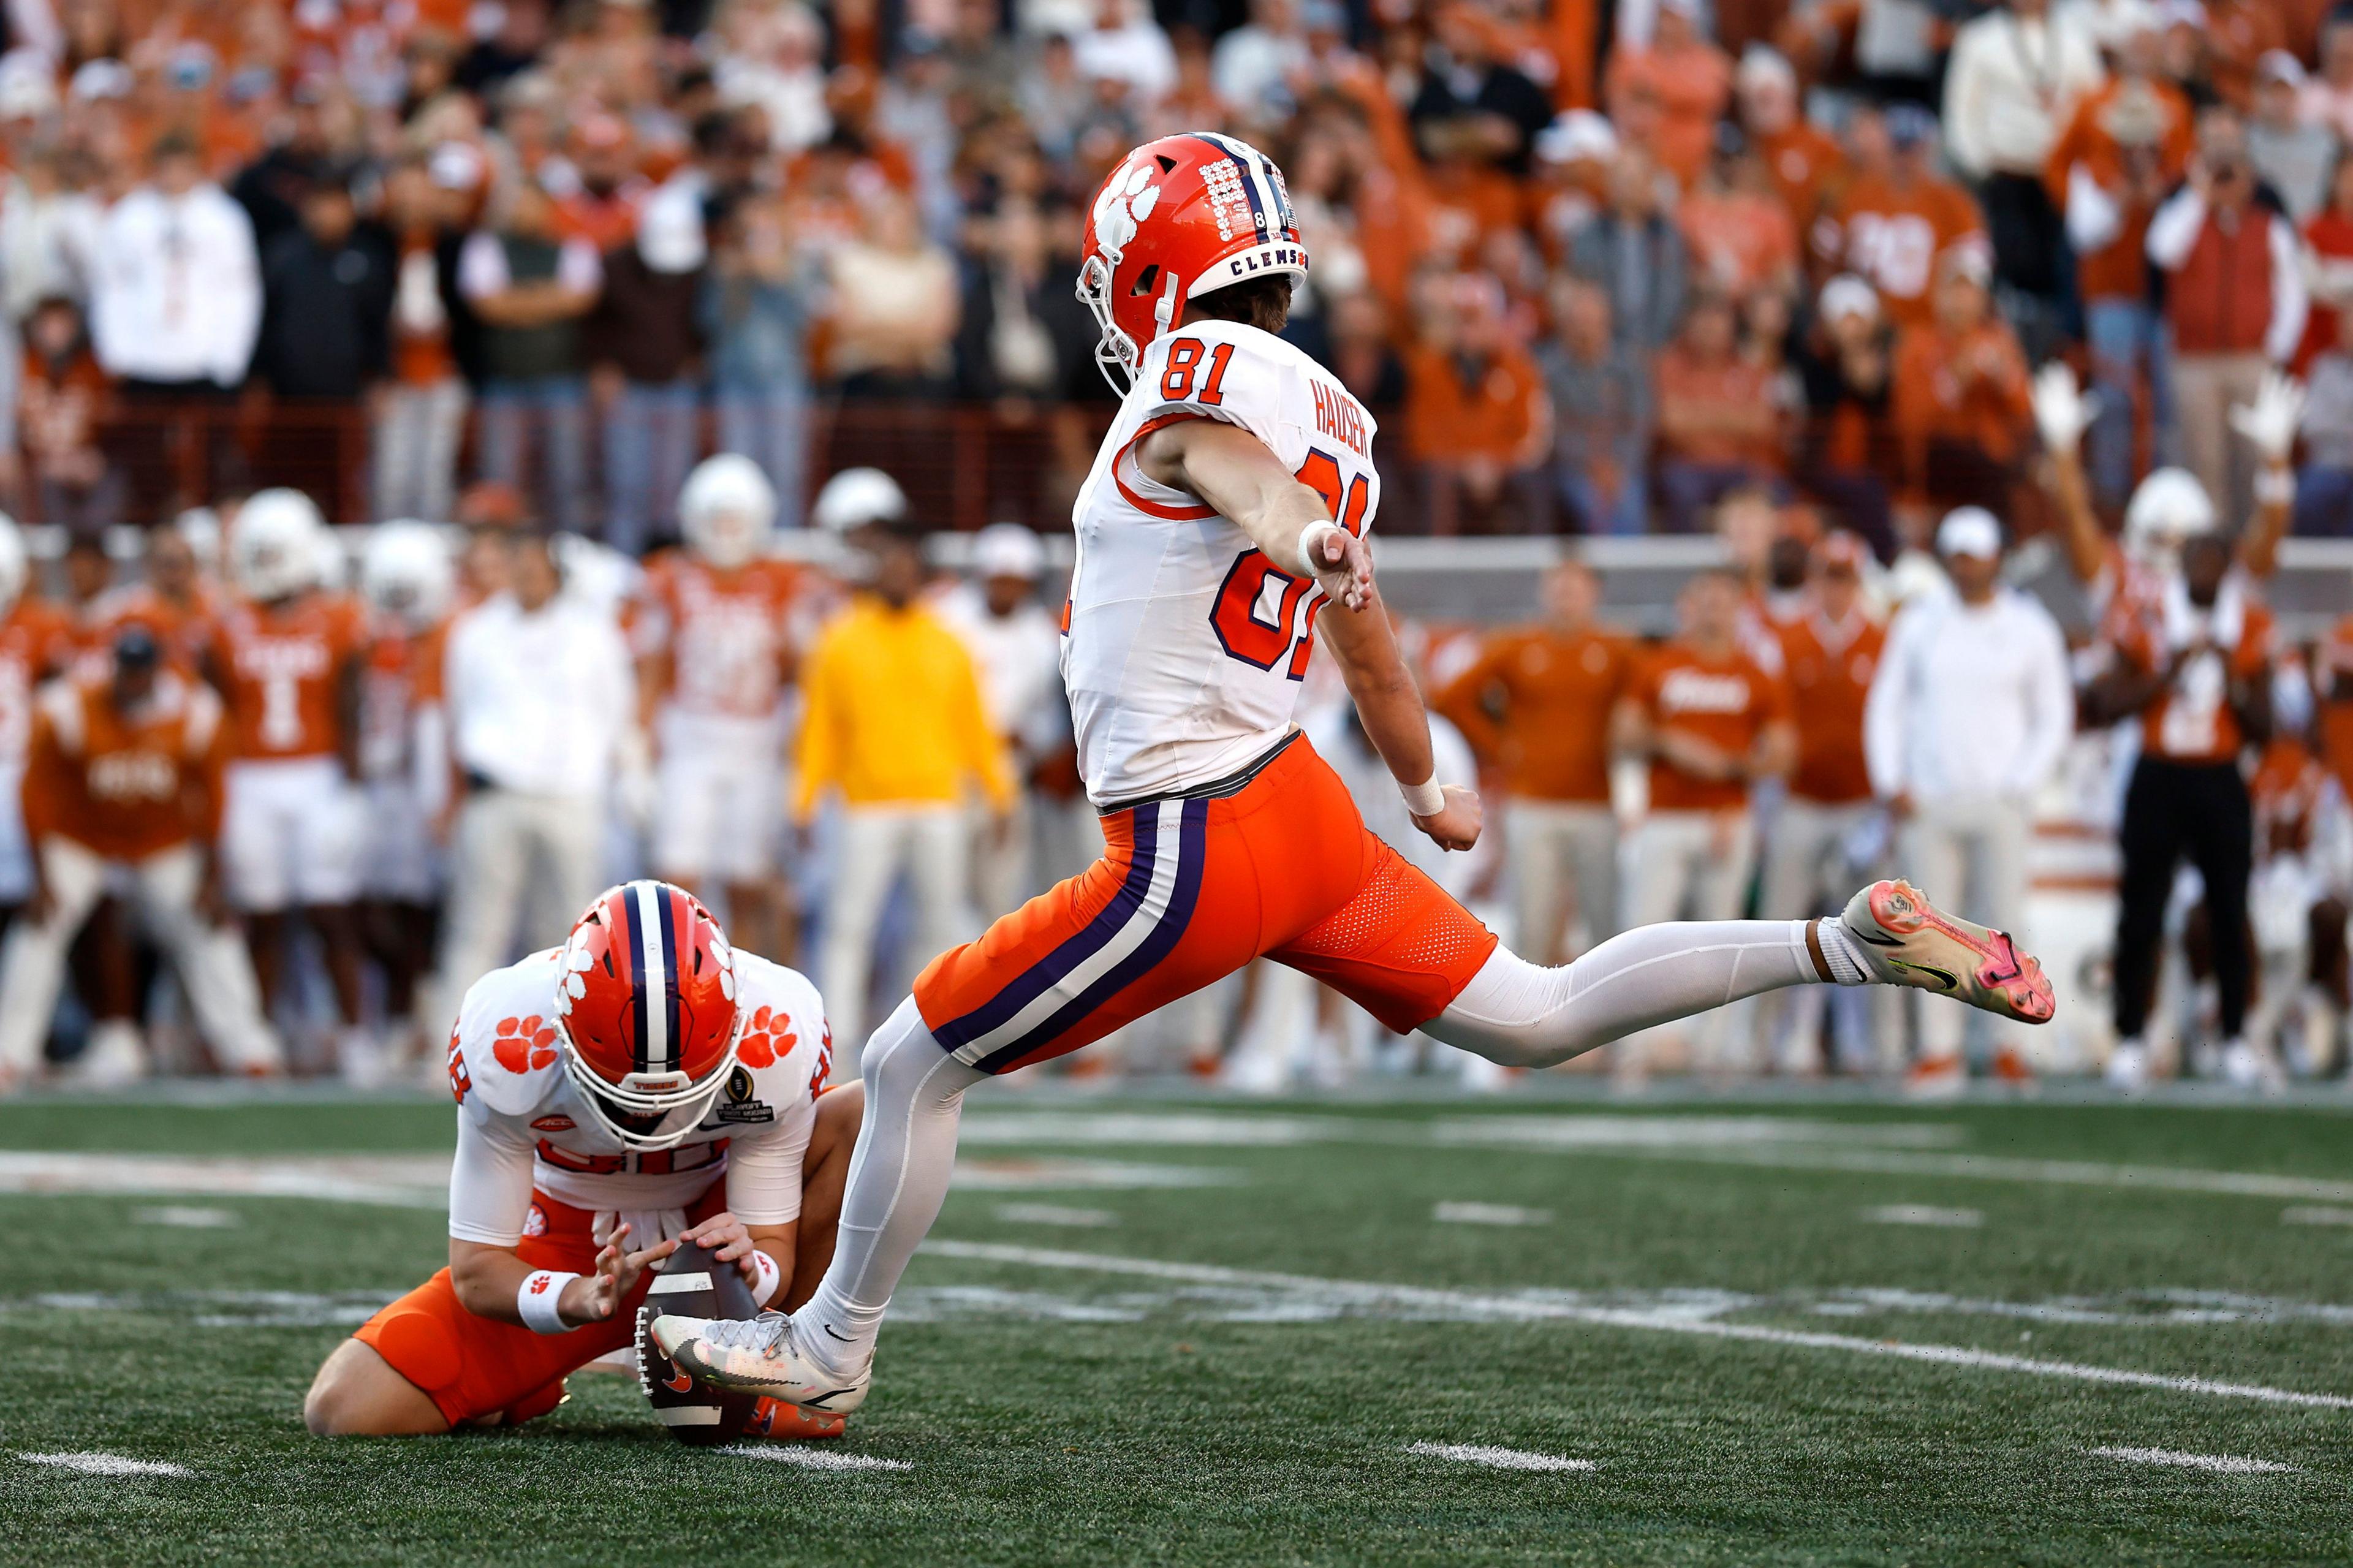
[[288, 658]]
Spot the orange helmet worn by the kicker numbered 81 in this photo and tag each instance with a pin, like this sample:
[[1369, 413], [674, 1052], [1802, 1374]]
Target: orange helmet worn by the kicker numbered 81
[[1175, 220]]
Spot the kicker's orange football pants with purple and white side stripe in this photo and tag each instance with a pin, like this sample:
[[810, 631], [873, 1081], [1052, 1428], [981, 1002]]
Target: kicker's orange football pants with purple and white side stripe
[[1272, 865]]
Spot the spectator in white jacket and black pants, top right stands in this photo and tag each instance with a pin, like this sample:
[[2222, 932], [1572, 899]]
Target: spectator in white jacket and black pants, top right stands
[[2011, 88]]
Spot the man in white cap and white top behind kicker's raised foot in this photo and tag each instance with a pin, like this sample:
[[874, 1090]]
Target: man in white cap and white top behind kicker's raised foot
[[1966, 722]]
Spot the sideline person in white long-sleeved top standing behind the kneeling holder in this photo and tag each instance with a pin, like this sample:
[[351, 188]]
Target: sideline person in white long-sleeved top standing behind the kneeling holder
[[542, 700]]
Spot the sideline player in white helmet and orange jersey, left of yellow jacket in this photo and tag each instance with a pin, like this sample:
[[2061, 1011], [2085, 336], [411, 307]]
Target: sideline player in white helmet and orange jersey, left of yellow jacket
[[716, 658]]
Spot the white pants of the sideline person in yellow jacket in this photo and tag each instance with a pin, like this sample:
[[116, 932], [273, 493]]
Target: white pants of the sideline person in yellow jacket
[[935, 849]]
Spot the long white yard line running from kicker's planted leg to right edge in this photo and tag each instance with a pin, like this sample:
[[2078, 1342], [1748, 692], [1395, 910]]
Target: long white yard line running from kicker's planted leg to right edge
[[1613, 1317]]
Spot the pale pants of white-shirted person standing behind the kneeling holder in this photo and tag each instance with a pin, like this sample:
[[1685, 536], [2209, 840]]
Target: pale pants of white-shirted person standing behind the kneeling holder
[[521, 870]]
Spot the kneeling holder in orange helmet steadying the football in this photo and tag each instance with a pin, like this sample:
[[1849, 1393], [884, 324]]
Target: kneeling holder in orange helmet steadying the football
[[639, 1087]]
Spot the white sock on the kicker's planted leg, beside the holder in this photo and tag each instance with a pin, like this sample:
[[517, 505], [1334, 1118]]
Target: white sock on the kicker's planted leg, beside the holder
[[898, 1181]]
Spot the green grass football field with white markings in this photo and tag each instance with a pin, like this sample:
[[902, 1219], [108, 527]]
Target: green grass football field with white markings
[[1187, 1331]]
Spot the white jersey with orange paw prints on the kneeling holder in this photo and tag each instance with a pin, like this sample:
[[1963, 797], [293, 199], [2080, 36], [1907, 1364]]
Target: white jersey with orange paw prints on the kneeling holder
[[521, 1124]]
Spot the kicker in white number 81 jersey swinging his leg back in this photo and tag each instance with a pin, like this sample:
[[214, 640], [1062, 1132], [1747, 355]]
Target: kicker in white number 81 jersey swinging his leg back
[[1222, 524]]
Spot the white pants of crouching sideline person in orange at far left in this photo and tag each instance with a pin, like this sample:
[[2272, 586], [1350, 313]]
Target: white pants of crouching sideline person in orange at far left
[[213, 964]]
